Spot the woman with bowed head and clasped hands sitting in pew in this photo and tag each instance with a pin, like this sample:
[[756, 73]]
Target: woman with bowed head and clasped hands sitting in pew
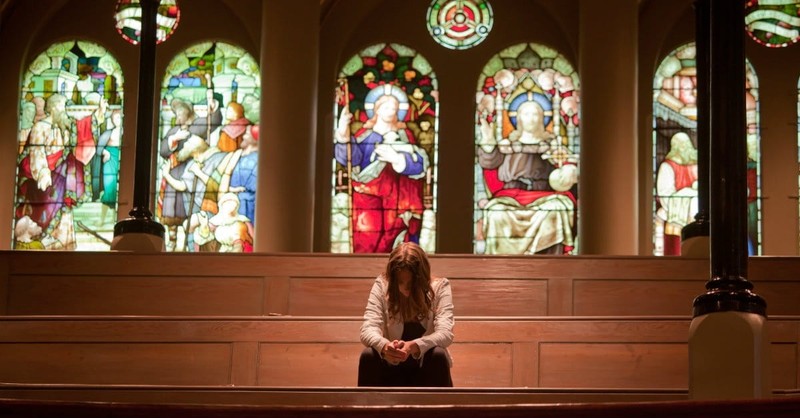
[[408, 324]]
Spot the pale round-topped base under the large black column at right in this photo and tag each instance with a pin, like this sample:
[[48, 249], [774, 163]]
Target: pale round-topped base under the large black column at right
[[729, 357]]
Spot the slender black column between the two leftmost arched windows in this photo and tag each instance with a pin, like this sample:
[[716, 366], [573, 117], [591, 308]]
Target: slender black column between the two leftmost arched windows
[[140, 218]]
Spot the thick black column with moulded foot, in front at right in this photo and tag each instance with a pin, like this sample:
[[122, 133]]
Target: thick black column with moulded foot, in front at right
[[728, 288]]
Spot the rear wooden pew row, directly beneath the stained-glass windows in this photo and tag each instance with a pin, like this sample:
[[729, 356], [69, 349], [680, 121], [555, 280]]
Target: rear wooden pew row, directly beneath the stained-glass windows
[[68, 283]]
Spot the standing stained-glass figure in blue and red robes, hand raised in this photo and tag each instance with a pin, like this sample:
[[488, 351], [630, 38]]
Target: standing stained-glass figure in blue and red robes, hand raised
[[387, 169]]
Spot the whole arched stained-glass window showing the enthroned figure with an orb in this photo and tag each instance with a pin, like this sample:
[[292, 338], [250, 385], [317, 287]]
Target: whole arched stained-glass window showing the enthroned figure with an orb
[[527, 149]]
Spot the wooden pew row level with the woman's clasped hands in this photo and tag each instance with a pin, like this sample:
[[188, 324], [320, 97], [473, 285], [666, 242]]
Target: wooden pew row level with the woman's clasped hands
[[489, 352]]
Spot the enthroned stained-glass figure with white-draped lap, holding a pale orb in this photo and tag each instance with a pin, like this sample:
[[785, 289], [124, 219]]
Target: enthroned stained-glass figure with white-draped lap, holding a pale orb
[[528, 172]]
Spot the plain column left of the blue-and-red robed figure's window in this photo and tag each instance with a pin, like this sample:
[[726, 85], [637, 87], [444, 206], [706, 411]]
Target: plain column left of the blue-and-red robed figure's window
[[289, 67]]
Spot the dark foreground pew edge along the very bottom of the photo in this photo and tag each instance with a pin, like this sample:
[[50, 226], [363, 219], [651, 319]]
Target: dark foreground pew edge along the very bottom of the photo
[[785, 407]]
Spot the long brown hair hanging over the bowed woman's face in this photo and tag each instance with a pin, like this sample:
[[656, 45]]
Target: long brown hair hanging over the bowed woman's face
[[412, 258]]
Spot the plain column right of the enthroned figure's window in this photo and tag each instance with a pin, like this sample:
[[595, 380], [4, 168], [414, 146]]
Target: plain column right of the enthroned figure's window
[[607, 187]]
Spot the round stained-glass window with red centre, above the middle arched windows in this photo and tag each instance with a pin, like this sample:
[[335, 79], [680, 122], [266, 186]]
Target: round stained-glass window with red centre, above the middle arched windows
[[459, 24]]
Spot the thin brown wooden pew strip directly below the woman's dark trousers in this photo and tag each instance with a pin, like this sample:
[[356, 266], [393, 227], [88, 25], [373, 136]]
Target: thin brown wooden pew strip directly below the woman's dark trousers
[[326, 396]]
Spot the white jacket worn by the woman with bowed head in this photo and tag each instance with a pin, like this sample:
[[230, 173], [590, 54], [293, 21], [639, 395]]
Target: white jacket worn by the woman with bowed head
[[377, 330]]
